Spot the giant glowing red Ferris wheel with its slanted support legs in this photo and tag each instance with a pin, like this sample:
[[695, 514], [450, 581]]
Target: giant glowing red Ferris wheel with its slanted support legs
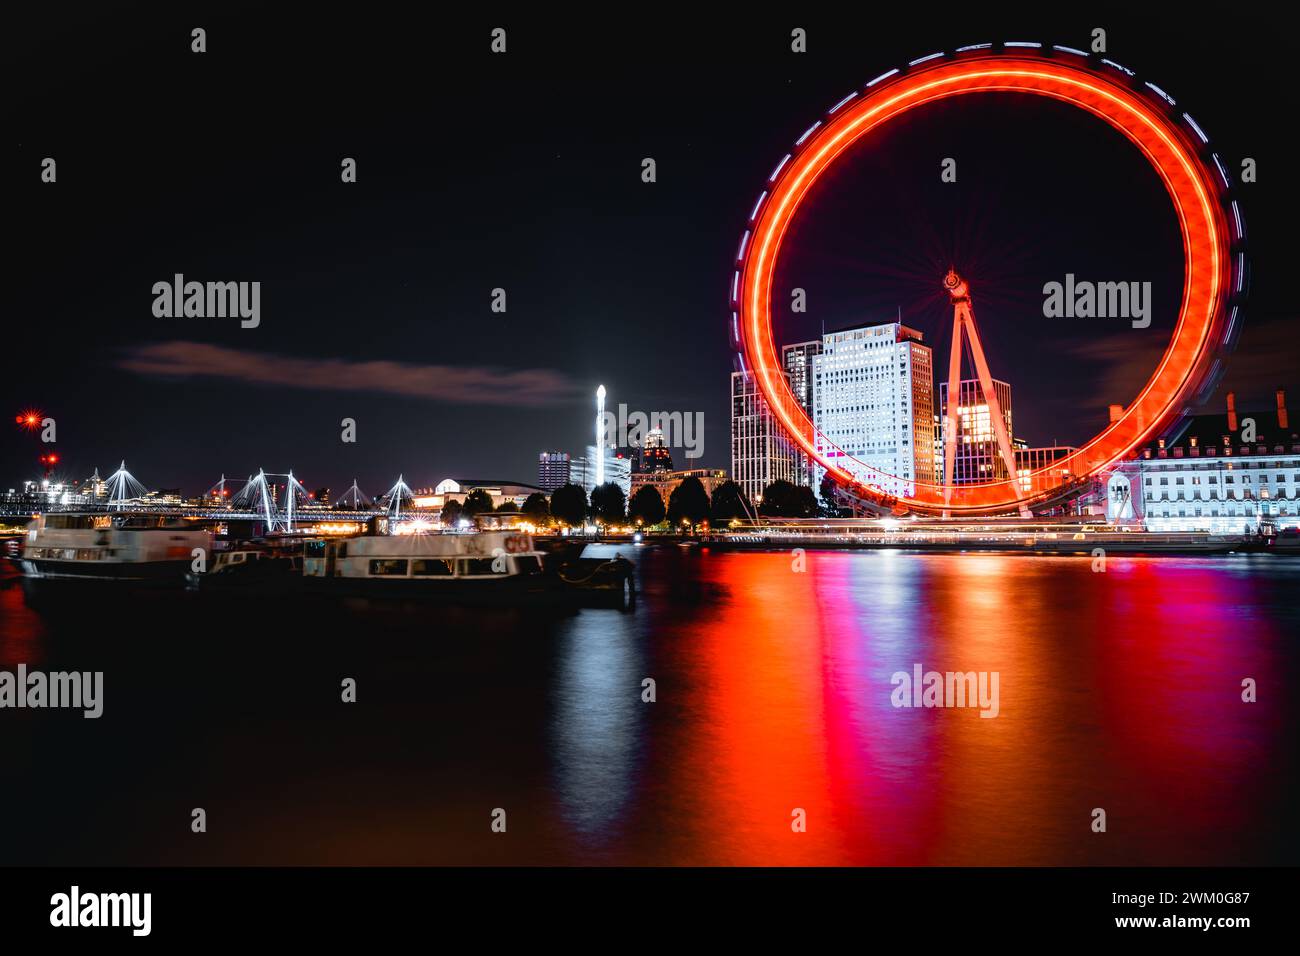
[[1210, 222]]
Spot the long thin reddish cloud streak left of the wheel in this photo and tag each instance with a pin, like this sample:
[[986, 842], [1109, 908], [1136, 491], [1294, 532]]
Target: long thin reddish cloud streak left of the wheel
[[460, 384]]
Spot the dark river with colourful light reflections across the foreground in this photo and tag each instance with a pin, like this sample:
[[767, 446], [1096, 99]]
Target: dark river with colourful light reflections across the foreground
[[773, 738]]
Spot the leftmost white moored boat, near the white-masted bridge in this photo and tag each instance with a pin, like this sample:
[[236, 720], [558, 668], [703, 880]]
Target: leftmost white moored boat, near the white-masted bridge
[[112, 547]]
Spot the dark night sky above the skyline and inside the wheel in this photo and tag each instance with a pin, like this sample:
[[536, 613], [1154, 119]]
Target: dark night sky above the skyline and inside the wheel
[[523, 172]]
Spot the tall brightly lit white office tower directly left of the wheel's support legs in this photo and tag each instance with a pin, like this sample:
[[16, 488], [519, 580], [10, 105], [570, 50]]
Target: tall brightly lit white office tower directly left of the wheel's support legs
[[874, 404]]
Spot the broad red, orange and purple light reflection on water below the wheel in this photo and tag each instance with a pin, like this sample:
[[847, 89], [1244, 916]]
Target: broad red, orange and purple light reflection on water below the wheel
[[1119, 690]]
